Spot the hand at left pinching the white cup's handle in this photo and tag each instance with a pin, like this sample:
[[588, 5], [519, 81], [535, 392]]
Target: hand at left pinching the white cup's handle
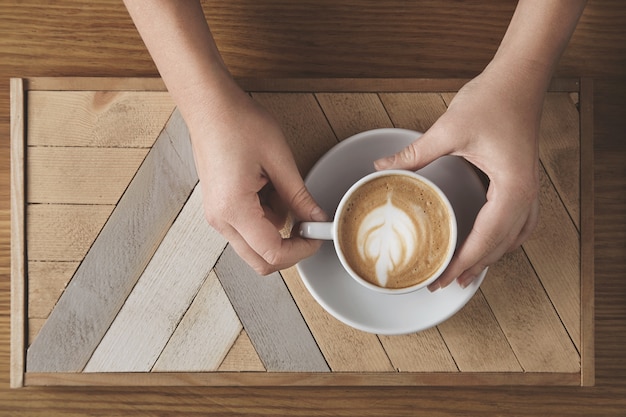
[[250, 181]]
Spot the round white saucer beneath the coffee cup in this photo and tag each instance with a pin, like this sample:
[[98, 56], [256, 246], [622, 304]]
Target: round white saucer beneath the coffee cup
[[330, 284]]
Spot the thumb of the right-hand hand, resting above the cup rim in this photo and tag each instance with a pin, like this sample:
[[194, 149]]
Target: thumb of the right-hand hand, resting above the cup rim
[[418, 154]]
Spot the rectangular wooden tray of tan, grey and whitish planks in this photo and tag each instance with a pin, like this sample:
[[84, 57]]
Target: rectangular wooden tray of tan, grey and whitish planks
[[117, 279]]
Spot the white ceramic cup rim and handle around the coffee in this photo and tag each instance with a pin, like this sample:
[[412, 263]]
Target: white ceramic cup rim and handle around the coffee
[[329, 231]]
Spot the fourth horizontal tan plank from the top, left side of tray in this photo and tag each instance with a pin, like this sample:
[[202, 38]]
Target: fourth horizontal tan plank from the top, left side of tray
[[46, 283]]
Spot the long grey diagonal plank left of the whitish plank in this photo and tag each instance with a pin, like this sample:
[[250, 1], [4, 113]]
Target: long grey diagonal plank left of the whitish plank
[[116, 259]]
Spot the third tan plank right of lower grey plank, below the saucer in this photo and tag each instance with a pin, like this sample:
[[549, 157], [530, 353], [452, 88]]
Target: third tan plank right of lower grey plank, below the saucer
[[476, 341]]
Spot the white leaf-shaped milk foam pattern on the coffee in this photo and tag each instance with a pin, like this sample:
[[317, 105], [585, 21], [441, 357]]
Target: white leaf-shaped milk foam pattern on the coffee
[[390, 238]]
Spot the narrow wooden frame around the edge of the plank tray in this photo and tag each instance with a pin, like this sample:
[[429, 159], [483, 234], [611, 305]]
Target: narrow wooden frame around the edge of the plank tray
[[19, 377]]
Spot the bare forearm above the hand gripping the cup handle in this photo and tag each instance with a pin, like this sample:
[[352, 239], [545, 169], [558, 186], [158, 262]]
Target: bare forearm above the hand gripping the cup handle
[[182, 47]]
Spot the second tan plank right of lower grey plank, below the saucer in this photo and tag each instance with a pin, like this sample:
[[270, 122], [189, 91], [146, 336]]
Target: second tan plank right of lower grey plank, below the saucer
[[424, 351]]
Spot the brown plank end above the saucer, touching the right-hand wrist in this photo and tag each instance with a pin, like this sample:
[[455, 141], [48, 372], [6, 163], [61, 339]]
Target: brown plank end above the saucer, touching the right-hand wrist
[[416, 111]]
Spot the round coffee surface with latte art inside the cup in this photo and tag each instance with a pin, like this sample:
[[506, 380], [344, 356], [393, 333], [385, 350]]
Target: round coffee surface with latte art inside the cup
[[394, 231]]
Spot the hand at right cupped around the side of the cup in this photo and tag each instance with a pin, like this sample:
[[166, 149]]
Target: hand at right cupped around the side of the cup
[[494, 124]]
